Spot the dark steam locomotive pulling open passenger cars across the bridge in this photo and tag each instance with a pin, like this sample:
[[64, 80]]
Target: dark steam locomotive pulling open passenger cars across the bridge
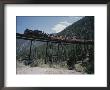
[[41, 34]]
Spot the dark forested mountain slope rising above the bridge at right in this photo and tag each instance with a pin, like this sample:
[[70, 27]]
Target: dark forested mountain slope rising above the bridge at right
[[83, 29]]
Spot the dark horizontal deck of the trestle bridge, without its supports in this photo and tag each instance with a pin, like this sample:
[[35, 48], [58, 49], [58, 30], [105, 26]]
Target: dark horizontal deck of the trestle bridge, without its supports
[[76, 41]]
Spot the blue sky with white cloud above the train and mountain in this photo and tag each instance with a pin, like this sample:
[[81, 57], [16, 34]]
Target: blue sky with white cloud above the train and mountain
[[48, 24]]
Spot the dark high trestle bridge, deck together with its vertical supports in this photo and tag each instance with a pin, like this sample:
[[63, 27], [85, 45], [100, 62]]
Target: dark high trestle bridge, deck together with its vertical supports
[[58, 41]]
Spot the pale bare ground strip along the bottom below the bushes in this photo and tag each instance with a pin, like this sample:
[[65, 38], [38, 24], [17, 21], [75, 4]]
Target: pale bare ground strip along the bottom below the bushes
[[22, 69]]
